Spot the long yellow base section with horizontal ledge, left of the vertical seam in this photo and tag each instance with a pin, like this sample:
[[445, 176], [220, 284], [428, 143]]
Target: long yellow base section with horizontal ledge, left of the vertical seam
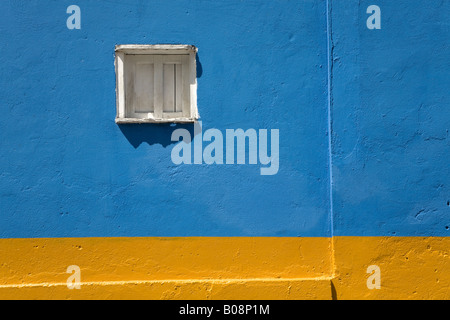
[[161, 268]]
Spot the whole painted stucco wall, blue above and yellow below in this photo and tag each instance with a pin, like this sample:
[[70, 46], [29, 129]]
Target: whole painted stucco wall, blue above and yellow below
[[363, 179]]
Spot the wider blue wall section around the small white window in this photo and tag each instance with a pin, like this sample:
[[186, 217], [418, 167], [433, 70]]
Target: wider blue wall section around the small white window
[[68, 170]]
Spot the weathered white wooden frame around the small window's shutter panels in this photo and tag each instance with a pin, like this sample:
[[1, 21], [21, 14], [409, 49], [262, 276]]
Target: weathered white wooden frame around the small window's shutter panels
[[182, 55]]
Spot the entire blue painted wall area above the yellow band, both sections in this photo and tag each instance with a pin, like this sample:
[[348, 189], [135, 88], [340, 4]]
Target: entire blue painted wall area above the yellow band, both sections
[[67, 170]]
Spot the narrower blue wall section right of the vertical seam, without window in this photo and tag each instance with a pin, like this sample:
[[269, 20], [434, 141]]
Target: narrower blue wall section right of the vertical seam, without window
[[391, 119]]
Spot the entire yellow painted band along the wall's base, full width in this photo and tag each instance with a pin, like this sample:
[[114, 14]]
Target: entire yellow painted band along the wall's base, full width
[[226, 268]]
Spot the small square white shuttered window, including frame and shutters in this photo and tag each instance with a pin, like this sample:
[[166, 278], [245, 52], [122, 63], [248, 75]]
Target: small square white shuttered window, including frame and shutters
[[156, 83]]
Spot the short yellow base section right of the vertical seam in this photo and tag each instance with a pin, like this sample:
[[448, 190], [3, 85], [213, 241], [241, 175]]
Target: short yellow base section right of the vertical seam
[[411, 267]]
